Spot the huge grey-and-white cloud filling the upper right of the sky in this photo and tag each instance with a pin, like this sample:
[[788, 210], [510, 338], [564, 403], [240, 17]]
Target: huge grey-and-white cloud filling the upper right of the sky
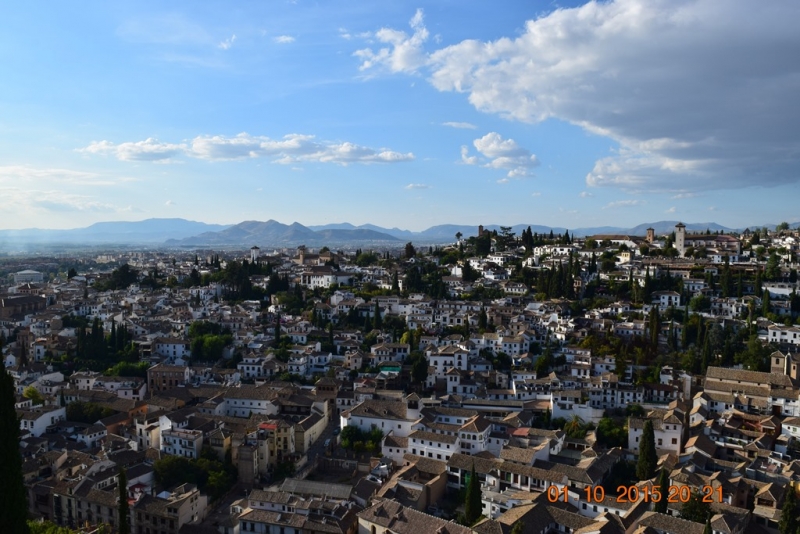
[[699, 94]]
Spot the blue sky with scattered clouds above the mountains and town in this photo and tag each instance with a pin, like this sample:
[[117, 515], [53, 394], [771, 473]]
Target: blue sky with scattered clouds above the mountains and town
[[400, 114]]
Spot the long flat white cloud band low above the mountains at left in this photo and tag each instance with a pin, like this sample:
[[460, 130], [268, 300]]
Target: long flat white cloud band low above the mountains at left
[[291, 148]]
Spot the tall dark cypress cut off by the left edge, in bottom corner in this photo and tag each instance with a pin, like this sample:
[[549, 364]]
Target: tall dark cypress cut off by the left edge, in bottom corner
[[14, 510]]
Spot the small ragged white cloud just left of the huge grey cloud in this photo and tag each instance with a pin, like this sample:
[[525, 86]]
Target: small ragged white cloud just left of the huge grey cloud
[[404, 52]]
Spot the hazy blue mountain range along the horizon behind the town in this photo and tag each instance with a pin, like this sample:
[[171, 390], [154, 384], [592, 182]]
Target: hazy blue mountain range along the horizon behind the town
[[184, 233]]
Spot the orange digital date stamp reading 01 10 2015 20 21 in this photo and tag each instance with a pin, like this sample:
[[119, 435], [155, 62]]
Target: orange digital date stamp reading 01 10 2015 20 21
[[632, 494]]
